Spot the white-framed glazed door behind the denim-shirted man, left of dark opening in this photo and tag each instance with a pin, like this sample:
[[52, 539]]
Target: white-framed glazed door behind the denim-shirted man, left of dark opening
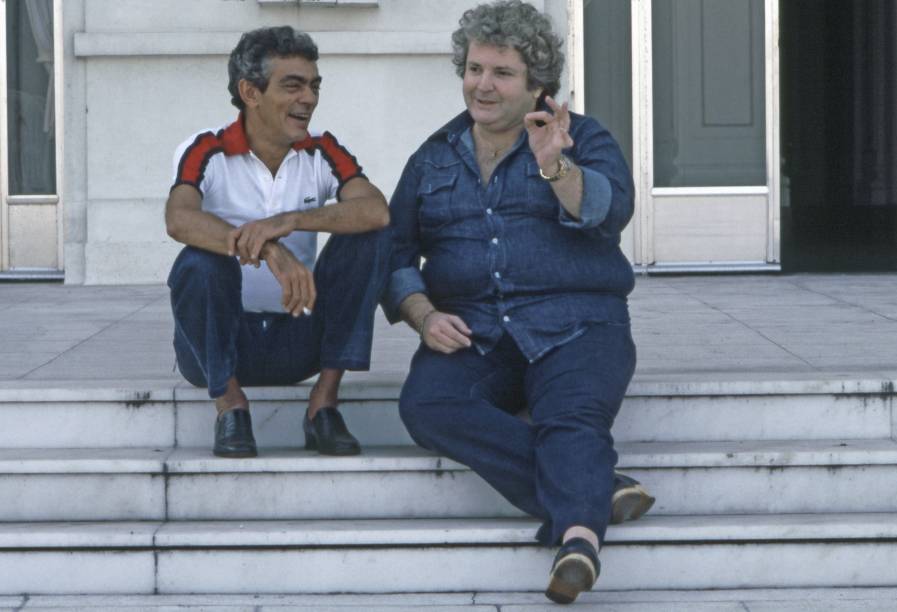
[[689, 88]]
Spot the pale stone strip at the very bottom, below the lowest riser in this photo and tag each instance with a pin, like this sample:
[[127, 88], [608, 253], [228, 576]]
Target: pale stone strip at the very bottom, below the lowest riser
[[852, 599]]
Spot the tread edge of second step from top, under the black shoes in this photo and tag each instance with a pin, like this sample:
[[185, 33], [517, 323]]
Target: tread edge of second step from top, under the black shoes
[[185, 461]]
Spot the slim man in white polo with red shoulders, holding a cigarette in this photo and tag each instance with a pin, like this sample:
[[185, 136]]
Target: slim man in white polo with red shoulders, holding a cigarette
[[251, 304]]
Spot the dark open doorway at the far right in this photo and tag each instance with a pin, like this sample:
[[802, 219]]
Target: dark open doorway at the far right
[[839, 135]]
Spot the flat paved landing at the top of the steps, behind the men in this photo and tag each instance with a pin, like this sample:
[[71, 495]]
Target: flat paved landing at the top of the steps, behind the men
[[708, 328]]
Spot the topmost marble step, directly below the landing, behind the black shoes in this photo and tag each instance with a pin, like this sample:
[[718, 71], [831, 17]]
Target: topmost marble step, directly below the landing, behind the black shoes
[[154, 413]]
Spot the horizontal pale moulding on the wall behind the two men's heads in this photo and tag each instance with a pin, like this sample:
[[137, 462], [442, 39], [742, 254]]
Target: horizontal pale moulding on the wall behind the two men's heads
[[130, 44]]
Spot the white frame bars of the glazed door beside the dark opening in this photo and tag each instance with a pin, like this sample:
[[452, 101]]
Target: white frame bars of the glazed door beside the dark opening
[[643, 224]]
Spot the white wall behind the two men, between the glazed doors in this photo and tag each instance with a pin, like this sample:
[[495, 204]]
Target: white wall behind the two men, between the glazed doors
[[142, 76]]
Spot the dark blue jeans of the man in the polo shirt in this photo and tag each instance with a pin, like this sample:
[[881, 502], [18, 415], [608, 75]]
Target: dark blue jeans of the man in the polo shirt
[[215, 339]]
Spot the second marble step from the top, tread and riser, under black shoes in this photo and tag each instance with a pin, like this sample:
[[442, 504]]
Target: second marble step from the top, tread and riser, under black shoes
[[406, 482]]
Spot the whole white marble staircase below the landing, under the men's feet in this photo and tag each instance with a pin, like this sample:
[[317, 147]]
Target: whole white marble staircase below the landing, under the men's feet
[[759, 484]]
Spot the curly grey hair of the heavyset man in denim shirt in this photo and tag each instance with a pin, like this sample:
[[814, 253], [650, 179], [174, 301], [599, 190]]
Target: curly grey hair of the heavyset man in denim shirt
[[513, 24]]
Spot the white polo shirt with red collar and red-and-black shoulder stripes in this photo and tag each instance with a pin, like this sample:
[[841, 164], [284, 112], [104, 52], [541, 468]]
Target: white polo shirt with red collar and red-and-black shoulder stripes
[[237, 186]]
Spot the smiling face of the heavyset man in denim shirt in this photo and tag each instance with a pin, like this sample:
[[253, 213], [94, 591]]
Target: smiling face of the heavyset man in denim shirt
[[494, 87]]
